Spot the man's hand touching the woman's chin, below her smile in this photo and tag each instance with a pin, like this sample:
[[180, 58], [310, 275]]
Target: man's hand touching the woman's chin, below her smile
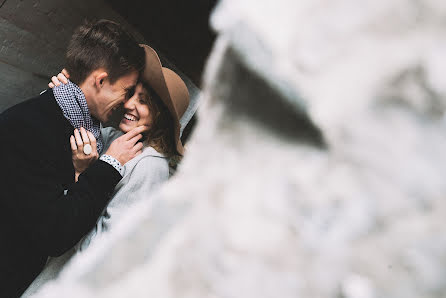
[[126, 147]]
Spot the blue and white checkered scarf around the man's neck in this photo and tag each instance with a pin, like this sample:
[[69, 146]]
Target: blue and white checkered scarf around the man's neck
[[71, 100]]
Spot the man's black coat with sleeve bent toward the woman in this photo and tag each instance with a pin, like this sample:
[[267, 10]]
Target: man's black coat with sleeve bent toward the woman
[[43, 212]]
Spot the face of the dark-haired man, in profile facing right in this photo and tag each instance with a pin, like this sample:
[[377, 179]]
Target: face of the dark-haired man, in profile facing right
[[110, 96]]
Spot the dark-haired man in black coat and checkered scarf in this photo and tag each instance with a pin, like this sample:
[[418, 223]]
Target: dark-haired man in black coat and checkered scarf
[[44, 212]]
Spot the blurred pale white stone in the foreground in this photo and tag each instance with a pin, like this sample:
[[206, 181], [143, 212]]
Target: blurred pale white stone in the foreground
[[316, 170]]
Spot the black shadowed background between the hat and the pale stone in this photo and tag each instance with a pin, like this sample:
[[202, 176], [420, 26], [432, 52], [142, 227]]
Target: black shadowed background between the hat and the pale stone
[[178, 29]]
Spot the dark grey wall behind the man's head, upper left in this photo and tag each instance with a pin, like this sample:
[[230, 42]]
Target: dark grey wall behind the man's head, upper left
[[34, 35]]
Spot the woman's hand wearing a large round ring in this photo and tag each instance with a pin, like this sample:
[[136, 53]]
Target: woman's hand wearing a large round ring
[[82, 161]]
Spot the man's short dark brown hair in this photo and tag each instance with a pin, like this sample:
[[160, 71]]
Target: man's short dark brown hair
[[102, 44]]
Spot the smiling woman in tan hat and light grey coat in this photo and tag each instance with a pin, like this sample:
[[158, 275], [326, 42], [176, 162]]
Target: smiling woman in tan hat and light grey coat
[[159, 100]]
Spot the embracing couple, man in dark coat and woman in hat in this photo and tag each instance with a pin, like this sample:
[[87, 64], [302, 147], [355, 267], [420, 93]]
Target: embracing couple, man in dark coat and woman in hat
[[65, 179]]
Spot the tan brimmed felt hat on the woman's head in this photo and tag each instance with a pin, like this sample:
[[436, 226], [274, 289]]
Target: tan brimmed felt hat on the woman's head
[[169, 87]]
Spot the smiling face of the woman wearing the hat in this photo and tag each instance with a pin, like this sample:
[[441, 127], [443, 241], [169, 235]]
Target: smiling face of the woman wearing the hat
[[136, 110]]
